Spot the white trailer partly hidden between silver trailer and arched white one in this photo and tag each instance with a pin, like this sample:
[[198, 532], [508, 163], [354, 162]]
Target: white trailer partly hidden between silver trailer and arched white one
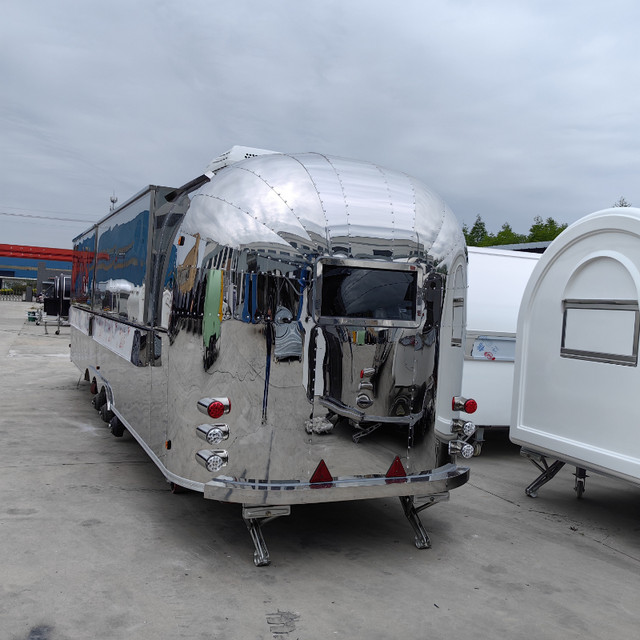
[[497, 279]]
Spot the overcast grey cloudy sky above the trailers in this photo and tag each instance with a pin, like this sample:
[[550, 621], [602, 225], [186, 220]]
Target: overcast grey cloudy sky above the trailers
[[509, 110]]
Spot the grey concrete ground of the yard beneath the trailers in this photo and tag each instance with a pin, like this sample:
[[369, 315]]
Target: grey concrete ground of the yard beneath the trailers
[[94, 545]]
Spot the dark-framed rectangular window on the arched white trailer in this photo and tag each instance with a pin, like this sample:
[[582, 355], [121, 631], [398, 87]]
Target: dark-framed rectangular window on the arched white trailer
[[601, 330]]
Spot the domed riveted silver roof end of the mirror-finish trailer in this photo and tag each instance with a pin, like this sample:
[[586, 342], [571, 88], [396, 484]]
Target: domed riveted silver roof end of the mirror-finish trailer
[[318, 204]]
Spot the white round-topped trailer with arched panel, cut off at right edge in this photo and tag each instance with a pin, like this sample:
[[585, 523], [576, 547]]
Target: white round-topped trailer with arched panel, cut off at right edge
[[576, 371]]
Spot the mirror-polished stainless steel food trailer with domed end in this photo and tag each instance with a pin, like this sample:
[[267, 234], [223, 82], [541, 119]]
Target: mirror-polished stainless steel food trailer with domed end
[[284, 329]]
